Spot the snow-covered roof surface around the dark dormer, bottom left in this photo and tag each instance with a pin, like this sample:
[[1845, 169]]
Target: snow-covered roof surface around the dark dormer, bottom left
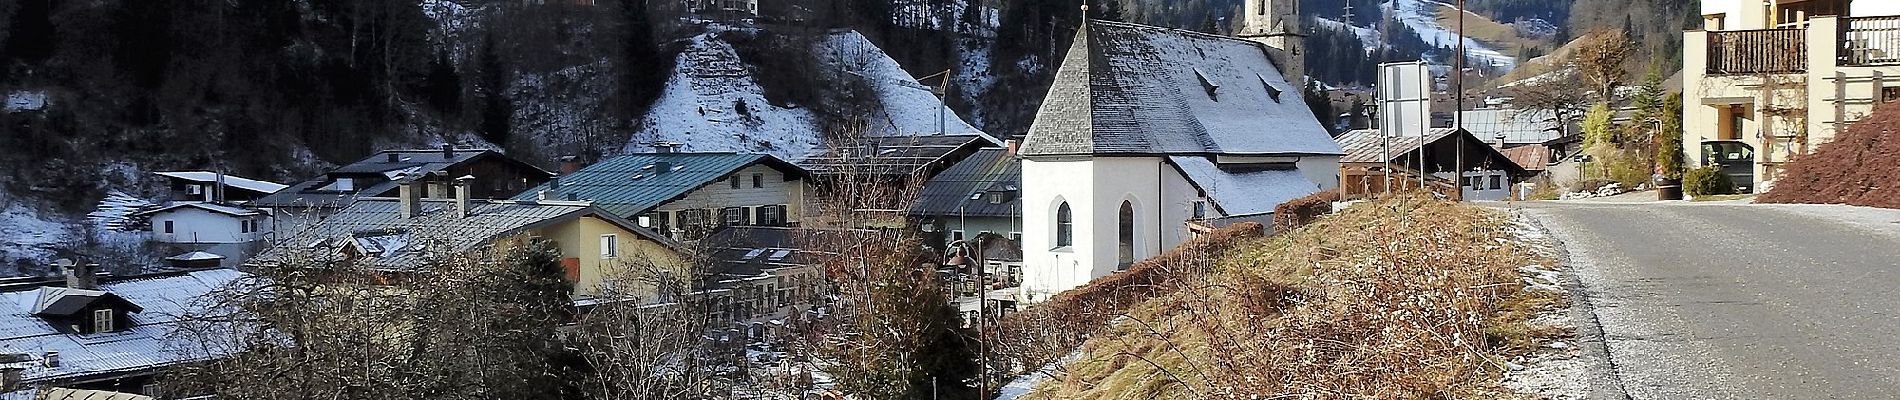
[[145, 346]]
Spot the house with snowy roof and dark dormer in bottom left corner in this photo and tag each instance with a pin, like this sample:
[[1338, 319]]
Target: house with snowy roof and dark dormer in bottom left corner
[[102, 336]]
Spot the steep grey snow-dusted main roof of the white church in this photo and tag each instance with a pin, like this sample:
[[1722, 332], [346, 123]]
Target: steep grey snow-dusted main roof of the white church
[[1149, 90]]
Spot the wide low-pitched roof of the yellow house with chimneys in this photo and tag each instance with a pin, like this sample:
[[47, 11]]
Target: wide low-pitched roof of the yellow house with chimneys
[[377, 230]]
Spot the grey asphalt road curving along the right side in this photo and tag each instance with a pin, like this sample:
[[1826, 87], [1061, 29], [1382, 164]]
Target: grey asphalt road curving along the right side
[[1738, 300]]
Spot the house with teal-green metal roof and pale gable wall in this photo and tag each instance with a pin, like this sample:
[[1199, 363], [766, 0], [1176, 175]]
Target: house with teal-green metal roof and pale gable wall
[[685, 196]]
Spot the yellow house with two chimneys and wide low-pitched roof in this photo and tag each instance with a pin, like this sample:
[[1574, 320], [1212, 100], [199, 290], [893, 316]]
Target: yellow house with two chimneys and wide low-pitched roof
[[402, 236]]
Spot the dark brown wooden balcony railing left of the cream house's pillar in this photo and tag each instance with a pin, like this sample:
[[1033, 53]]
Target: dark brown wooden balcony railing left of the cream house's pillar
[[1758, 52]]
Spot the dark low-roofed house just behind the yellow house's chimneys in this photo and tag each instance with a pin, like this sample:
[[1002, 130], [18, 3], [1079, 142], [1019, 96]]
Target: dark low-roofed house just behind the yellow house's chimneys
[[495, 177]]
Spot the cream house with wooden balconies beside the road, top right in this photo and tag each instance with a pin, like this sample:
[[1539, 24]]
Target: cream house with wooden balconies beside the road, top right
[[1766, 82]]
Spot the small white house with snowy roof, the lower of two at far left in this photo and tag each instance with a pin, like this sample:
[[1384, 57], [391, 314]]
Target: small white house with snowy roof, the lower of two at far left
[[206, 223]]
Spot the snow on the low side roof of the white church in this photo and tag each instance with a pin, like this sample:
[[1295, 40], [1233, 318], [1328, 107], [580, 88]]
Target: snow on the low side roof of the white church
[[1238, 194]]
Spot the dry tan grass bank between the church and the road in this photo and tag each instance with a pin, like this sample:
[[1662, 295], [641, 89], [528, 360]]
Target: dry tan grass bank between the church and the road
[[1394, 299]]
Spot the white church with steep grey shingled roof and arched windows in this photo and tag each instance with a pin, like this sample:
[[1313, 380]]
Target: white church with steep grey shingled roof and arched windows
[[1147, 130]]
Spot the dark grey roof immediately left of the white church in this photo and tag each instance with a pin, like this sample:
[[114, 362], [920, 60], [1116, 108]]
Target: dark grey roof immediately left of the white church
[[987, 172]]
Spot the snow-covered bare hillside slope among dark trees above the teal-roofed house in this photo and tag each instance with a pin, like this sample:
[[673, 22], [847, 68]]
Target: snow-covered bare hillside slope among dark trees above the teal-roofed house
[[712, 84]]
